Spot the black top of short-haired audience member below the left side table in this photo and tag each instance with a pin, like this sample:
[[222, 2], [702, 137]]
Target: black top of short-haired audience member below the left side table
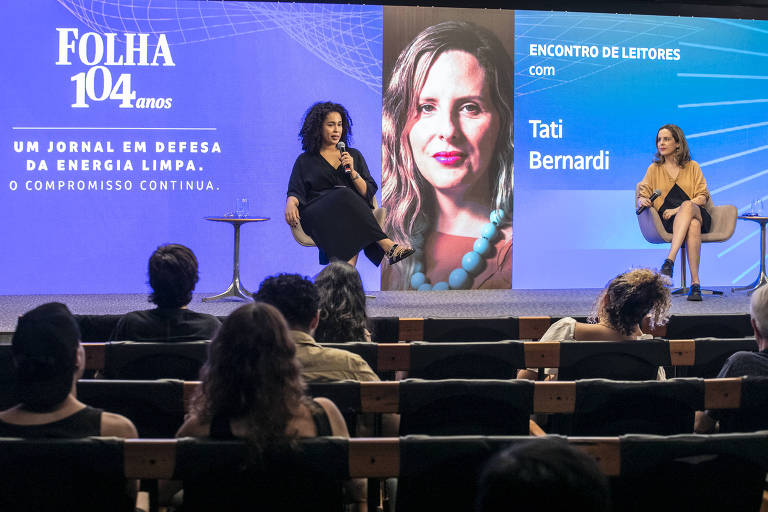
[[160, 324]]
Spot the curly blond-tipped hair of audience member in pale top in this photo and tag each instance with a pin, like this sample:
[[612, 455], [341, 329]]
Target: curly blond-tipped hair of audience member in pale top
[[632, 296]]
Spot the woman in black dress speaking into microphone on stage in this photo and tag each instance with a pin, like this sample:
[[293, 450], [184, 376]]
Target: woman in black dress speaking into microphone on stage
[[331, 191]]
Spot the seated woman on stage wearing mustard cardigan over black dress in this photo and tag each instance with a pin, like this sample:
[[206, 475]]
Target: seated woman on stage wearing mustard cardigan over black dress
[[681, 204]]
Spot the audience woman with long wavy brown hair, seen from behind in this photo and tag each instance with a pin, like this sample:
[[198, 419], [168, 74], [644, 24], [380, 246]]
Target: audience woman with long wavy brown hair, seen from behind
[[251, 388]]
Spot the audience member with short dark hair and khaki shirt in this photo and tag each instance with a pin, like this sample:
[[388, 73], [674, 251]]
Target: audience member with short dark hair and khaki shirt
[[298, 300]]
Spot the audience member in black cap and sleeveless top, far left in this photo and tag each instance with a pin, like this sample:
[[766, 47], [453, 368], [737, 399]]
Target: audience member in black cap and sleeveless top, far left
[[48, 360]]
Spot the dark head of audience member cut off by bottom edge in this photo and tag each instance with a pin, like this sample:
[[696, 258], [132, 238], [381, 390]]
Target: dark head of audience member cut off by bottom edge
[[542, 474]]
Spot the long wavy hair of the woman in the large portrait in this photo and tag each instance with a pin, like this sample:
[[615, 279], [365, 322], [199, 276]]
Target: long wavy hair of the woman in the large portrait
[[408, 197]]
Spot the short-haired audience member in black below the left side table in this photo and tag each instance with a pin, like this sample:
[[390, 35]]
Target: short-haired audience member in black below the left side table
[[172, 276]]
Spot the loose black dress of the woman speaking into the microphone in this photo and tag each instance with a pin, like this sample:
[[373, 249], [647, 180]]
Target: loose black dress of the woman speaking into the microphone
[[332, 212]]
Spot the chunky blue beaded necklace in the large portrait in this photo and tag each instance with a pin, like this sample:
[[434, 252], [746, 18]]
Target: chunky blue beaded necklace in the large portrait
[[471, 263]]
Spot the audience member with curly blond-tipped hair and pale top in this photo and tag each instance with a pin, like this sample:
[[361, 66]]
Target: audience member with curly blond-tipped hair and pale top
[[630, 299]]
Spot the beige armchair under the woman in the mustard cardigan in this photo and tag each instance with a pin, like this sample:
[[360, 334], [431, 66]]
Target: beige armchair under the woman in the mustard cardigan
[[723, 226]]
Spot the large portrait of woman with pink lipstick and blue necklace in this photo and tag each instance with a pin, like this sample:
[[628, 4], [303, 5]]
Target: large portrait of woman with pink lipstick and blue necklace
[[447, 159]]
